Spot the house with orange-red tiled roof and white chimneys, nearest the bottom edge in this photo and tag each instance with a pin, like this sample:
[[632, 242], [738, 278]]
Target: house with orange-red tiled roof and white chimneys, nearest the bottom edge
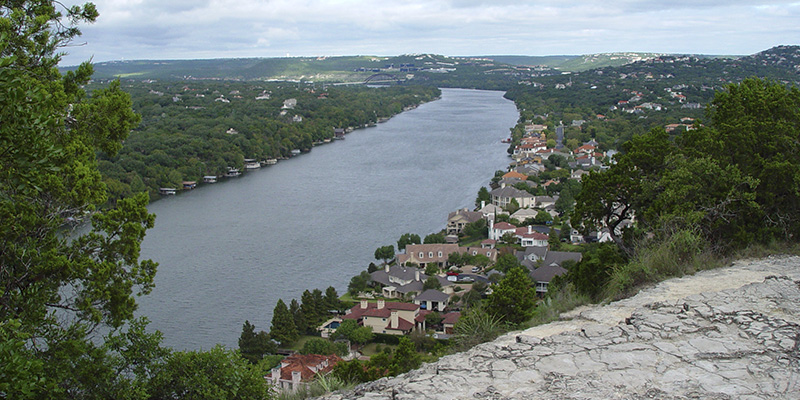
[[298, 370]]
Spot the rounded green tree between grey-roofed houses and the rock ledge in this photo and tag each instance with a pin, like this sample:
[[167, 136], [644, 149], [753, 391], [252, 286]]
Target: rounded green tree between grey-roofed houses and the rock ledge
[[513, 299]]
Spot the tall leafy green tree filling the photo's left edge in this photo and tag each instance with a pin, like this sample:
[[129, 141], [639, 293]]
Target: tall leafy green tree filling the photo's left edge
[[55, 290]]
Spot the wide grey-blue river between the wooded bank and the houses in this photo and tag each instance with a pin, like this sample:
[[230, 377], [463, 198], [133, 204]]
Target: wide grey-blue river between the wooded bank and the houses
[[228, 251]]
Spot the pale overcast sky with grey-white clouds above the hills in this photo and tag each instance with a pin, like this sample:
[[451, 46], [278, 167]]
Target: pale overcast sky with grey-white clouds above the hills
[[190, 29]]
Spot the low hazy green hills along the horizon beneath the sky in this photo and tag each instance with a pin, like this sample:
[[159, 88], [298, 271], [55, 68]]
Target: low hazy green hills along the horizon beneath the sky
[[482, 72]]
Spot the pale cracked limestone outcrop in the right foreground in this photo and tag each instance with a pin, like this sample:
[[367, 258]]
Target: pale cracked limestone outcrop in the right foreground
[[730, 333]]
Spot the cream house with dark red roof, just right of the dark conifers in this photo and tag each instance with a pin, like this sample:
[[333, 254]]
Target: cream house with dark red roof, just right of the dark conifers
[[392, 318]]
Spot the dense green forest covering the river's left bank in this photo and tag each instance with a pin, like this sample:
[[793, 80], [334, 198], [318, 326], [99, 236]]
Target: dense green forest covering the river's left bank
[[194, 129]]
